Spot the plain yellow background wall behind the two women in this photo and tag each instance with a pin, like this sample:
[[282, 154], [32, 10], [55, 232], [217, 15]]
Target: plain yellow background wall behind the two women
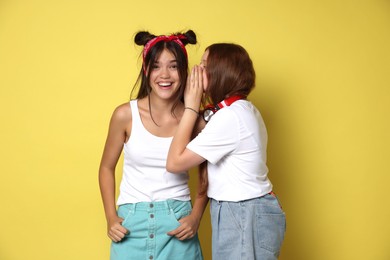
[[322, 86]]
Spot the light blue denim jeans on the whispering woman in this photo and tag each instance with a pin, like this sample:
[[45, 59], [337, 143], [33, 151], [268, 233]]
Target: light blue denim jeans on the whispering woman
[[247, 230]]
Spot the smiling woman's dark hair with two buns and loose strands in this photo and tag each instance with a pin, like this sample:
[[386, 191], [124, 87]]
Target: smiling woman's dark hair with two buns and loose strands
[[142, 38]]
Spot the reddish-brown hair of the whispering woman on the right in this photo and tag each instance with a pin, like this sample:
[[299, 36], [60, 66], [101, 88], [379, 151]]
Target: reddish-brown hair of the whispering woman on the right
[[229, 71]]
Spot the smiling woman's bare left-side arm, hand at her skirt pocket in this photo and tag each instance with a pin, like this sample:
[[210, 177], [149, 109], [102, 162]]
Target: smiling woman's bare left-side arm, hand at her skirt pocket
[[112, 151]]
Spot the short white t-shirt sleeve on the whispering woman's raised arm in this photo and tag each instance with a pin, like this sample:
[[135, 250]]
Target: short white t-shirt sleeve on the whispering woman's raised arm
[[219, 137]]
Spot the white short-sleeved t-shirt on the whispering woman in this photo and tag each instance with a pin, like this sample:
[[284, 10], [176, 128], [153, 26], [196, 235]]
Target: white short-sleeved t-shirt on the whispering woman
[[234, 142]]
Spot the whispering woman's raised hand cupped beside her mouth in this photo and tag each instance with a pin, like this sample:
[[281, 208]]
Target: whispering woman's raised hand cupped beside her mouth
[[194, 89]]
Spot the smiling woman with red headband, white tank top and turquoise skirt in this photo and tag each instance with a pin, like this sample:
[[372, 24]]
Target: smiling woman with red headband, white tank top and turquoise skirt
[[144, 227]]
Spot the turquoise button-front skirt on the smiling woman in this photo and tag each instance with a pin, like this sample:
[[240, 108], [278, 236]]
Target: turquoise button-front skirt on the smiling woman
[[148, 223]]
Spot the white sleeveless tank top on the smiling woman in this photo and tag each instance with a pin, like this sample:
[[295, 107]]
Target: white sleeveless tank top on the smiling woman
[[145, 177]]
